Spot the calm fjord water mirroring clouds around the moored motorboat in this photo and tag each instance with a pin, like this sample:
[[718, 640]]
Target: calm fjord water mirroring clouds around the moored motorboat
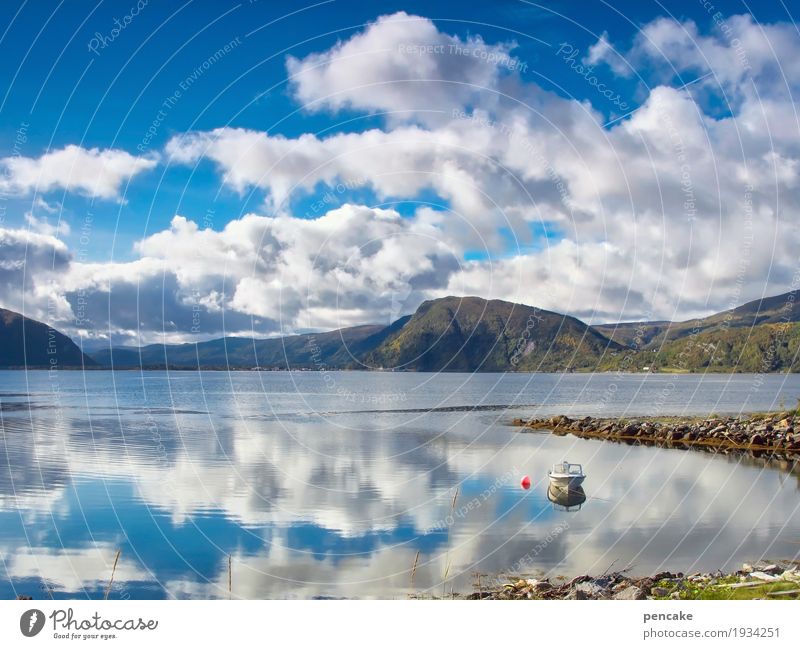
[[329, 484]]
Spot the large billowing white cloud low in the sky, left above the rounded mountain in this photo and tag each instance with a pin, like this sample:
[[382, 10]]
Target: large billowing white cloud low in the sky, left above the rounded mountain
[[341, 269]]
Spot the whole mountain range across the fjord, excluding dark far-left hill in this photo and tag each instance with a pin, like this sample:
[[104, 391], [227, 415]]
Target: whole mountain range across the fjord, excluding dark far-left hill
[[472, 334]]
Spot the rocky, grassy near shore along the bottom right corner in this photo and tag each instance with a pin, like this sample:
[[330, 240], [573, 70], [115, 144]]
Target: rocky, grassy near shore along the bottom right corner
[[779, 580]]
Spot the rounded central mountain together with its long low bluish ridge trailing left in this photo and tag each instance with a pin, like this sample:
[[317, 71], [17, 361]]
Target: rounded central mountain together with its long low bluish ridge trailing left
[[451, 334]]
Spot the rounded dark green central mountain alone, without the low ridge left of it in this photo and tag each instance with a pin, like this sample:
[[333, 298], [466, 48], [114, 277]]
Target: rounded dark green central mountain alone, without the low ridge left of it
[[469, 334]]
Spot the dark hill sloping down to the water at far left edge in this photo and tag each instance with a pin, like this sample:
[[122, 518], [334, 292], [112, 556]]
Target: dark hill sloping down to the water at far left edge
[[26, 343]]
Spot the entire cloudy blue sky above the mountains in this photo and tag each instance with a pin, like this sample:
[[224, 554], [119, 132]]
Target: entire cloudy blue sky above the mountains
[[173, 172]]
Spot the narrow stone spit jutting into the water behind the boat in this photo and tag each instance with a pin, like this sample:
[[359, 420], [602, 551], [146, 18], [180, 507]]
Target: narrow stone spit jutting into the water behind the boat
[[774, 433]]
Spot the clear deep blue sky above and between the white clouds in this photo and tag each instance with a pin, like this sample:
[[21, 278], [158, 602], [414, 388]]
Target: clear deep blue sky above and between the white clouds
[[68, 94]]
